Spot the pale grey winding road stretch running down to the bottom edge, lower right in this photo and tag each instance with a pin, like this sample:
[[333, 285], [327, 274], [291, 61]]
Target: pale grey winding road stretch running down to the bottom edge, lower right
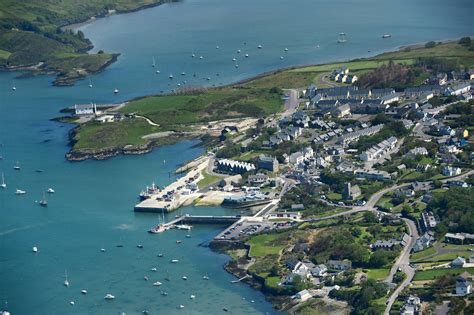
[[403, 262]]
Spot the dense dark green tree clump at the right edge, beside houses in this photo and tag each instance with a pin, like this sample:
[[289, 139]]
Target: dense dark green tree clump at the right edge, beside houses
[[455, 208]]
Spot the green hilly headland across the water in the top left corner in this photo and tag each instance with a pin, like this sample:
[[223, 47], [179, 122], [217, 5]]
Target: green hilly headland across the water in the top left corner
[[32, 36]]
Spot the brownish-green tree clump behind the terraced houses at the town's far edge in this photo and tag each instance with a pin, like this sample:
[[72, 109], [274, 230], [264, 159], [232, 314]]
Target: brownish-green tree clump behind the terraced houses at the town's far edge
[[389, 75]]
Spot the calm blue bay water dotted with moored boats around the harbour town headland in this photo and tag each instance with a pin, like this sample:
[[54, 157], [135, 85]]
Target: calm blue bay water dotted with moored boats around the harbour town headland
[[92, 207]]
